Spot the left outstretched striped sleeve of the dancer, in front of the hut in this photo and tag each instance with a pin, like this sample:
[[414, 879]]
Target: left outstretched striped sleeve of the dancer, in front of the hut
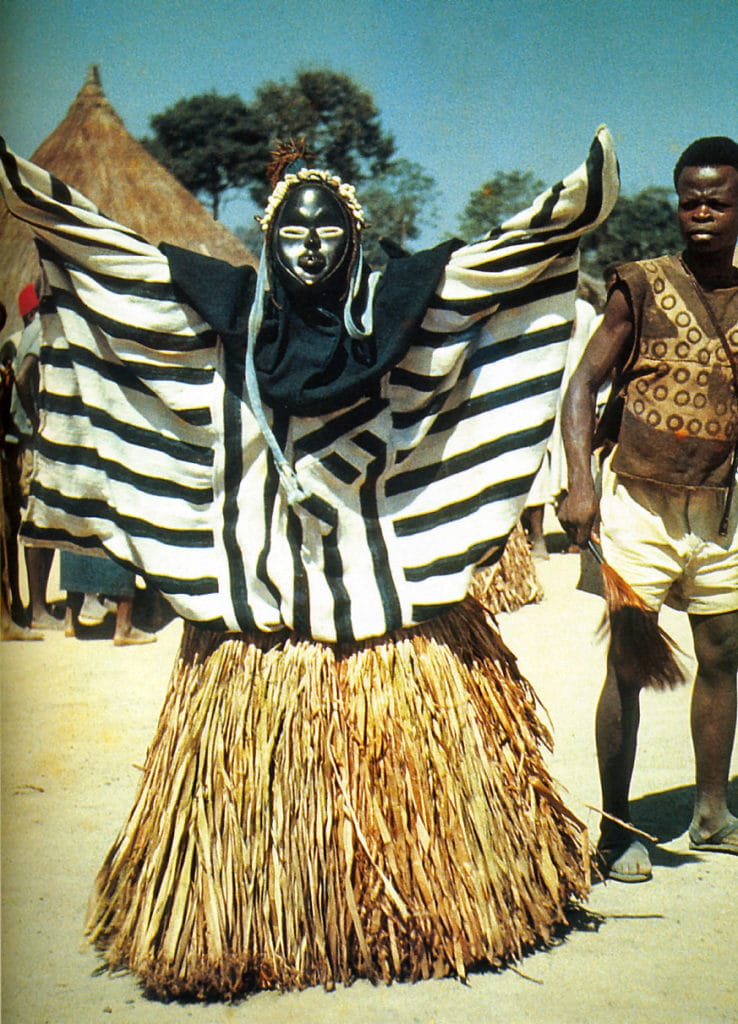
[[126, 459]]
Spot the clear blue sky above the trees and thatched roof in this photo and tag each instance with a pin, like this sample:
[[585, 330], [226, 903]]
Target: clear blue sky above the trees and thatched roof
[[467, 89]]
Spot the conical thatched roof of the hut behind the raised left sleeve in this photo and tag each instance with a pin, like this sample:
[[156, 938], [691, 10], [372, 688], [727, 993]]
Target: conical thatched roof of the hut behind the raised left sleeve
[[92, 151]]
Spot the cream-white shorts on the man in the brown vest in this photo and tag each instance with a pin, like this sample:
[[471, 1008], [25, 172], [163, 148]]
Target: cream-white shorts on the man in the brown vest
[[666, 544]]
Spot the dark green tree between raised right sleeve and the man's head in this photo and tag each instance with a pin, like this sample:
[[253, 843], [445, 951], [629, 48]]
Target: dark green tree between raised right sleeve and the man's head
[[641, 227]]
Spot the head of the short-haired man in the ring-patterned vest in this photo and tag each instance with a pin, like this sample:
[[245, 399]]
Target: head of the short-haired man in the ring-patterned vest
[[707, 182]]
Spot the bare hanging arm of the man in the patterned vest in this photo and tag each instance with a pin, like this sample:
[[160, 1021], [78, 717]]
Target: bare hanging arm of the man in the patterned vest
[[613, 339]]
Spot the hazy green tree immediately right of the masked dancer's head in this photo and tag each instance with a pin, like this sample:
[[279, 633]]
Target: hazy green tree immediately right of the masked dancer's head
[[399, 203]]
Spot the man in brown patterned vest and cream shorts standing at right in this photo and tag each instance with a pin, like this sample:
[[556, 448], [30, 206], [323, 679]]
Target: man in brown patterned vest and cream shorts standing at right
[[669, 515]]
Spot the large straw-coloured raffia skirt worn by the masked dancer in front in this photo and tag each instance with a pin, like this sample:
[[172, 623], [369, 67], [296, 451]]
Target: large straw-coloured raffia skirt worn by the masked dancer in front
[[310, 815]]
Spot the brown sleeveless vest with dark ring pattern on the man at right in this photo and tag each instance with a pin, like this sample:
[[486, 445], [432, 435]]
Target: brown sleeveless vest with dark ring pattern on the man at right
[[680, 422]]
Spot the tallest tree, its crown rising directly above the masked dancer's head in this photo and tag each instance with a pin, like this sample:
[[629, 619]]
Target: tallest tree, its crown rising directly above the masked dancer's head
[[338, 119]]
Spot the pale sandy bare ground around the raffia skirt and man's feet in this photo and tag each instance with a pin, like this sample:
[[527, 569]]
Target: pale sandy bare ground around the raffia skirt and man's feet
[[77, 717]]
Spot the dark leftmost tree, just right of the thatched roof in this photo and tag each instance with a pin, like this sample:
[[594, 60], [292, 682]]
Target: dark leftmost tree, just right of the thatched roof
[[211, 144]]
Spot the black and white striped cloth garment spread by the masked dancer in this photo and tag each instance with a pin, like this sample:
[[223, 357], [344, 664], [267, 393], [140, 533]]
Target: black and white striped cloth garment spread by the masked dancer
[[150, 451]]
